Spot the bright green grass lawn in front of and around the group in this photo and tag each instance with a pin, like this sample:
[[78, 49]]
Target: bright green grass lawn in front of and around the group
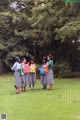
[[61, 104]]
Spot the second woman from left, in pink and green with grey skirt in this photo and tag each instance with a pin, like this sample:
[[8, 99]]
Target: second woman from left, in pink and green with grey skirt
[[24, 74]]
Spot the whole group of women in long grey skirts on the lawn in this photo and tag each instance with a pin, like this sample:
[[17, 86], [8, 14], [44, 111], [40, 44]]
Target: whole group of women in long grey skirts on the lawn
[[25, 73]]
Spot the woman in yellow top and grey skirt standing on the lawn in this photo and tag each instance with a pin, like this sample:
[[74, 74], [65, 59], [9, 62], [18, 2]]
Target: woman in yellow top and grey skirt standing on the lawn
[[32, 74]]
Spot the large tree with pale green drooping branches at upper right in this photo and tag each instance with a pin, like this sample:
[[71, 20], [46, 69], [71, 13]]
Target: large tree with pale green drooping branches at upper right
[[61, 26]]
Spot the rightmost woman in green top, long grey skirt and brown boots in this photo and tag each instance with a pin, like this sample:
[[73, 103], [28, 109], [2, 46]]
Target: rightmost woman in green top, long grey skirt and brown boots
[[50, 73]]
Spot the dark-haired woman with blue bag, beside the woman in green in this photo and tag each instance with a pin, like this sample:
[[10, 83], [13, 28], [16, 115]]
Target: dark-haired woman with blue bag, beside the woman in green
[[44, 73]]
